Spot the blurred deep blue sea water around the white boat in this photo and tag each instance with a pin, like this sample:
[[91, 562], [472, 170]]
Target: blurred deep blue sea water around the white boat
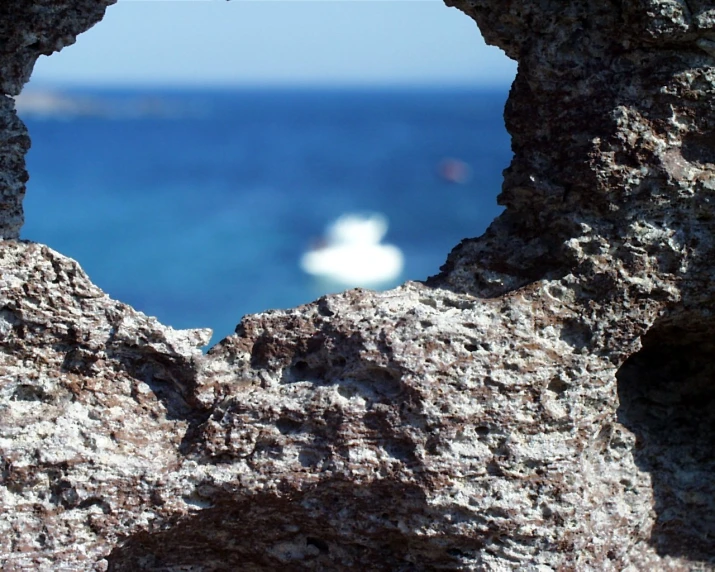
[[195, 206]]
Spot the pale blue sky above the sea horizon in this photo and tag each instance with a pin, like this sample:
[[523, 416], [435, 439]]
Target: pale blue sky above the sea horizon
[[279, 42]]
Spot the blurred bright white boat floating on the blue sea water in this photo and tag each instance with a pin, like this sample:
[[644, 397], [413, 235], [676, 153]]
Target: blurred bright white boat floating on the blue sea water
[[352, 254]]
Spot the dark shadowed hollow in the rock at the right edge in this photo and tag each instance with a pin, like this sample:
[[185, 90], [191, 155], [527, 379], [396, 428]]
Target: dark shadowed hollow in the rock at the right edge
[[667, 396]]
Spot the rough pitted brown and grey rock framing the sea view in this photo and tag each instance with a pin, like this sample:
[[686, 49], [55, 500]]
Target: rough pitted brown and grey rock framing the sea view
[[545, 403]]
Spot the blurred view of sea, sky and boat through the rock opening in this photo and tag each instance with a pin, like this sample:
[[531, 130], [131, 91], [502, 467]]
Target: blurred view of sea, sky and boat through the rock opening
[[207, 159]]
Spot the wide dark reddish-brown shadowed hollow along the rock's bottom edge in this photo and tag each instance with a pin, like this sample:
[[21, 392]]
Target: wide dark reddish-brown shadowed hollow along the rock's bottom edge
[[336, 526]]
